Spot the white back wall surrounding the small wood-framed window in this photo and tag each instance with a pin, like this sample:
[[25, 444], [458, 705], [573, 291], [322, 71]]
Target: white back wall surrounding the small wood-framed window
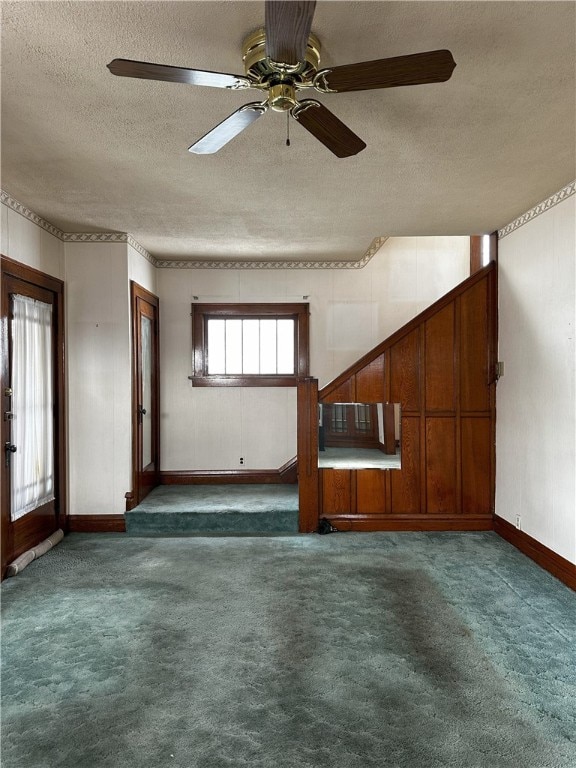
[[351, 311]]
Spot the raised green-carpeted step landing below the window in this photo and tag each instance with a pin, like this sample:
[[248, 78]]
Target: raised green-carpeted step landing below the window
[[233, 509]]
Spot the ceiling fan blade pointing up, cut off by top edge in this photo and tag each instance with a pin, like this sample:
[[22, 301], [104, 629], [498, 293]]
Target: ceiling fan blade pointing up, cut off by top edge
[[288, 24]]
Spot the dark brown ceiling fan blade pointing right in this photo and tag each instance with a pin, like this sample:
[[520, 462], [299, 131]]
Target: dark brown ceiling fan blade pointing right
[[415, 69]]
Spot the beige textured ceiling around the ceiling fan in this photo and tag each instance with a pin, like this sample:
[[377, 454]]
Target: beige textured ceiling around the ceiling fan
[[91, 152]]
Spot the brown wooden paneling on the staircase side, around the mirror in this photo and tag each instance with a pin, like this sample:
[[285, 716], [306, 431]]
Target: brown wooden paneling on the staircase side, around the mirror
[[447, 477]]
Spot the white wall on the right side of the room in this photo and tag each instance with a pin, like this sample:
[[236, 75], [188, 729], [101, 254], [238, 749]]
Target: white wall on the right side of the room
[[536, 428]]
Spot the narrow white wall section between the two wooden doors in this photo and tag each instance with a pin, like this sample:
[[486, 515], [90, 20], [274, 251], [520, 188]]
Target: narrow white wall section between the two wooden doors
[[99, 379]]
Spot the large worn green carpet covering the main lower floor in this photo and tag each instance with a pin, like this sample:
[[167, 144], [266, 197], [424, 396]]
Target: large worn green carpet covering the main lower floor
[[342, 651]]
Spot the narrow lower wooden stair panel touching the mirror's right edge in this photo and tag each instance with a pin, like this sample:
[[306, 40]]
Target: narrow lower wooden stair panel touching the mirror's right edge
[[405, 496]]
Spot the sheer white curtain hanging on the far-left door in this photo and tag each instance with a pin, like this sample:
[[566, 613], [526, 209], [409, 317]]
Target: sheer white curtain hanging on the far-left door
[[32, 465]]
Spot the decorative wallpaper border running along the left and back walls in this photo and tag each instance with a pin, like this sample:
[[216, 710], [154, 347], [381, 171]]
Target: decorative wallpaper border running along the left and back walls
[[124, 237]]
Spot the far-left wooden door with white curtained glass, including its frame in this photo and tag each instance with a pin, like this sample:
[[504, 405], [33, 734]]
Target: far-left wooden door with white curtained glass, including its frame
[[32, 391]]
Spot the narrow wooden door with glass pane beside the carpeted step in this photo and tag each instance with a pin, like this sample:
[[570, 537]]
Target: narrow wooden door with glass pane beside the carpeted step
[[145, 394]]
